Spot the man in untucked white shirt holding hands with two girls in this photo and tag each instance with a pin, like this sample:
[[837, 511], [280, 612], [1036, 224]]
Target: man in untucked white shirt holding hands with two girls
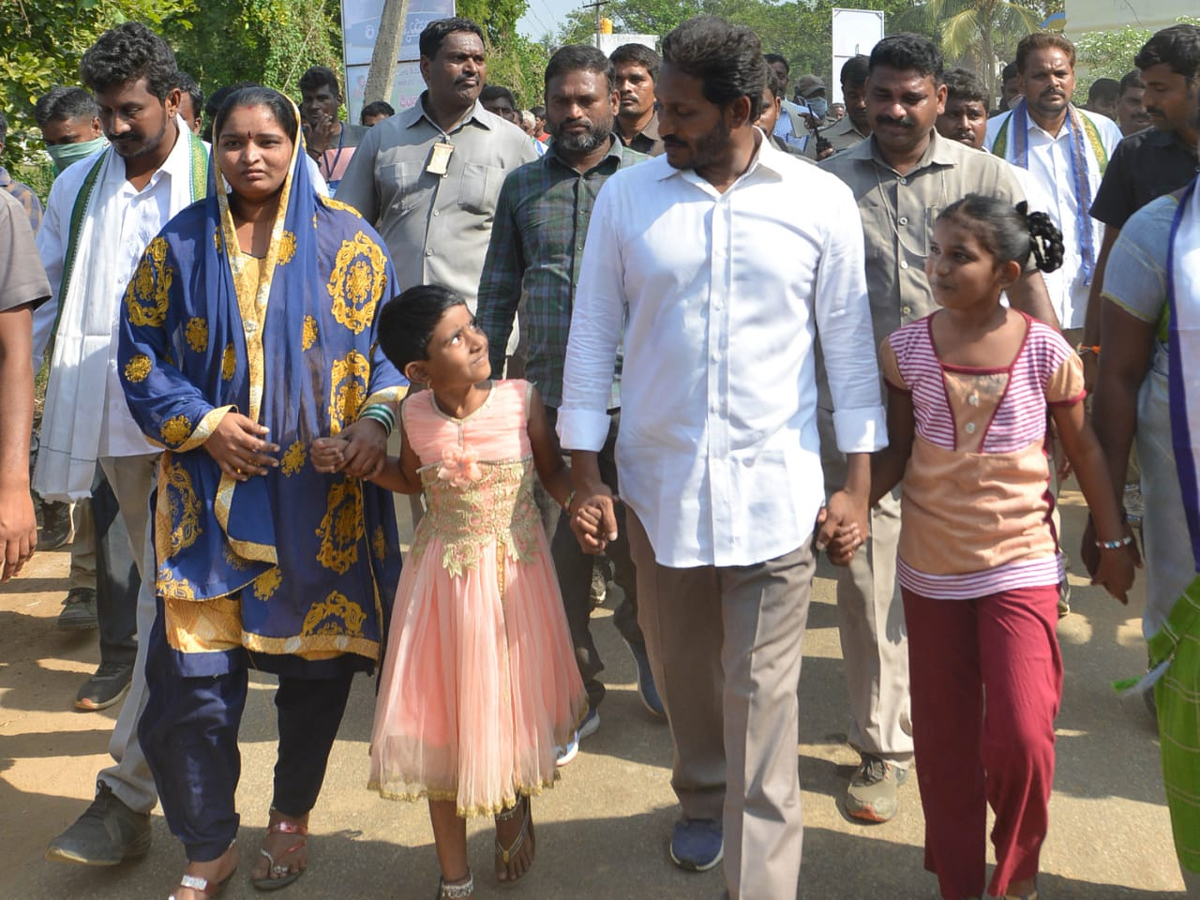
[[718, 455]]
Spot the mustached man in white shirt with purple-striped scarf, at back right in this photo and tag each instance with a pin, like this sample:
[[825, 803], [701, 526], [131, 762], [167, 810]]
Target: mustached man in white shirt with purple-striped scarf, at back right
[[1066, 151]]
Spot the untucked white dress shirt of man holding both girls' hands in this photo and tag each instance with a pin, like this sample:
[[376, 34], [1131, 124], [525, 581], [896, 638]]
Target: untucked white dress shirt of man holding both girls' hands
[[722, 297]]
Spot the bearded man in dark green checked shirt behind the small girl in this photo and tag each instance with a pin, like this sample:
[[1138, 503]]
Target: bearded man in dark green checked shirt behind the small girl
[[542, 220]]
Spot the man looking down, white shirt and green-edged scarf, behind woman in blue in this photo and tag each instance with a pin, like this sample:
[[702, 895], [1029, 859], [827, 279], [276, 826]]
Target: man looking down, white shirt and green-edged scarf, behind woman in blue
[[101, 215]]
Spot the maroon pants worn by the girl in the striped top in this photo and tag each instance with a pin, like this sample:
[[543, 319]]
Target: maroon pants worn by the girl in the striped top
[[987, 681]]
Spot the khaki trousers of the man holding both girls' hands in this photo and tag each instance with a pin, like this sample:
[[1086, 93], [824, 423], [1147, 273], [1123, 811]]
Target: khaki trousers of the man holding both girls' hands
[[725, 651]]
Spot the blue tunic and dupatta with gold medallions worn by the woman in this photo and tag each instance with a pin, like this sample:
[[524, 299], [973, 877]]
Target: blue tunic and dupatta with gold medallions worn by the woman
[[295, 562]]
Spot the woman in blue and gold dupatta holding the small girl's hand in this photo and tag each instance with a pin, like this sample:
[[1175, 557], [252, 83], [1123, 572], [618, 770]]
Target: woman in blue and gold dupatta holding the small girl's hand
[[248, 332]]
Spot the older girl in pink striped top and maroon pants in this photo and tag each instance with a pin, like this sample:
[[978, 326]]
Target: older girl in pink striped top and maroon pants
[[971, 387]]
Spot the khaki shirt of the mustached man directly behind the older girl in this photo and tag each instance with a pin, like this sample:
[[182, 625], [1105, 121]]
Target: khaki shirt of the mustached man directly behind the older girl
[[899, 213]]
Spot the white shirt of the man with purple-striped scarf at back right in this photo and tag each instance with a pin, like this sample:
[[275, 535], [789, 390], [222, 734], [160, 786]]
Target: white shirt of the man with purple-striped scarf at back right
[[1051, 189]]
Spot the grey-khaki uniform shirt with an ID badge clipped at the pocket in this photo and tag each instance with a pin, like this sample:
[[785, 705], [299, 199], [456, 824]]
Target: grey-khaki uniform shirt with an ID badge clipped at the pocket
[[437, 227]]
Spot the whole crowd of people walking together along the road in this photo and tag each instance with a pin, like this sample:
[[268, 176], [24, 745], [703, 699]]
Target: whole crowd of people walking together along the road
[[758, 331]]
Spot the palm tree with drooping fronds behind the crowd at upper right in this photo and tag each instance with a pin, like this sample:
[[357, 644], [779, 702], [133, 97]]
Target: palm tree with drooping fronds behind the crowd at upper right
[[976, 32]]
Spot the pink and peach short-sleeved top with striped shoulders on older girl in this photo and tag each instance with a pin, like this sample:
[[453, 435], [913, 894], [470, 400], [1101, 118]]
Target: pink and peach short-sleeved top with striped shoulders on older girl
[[977, 502]]
